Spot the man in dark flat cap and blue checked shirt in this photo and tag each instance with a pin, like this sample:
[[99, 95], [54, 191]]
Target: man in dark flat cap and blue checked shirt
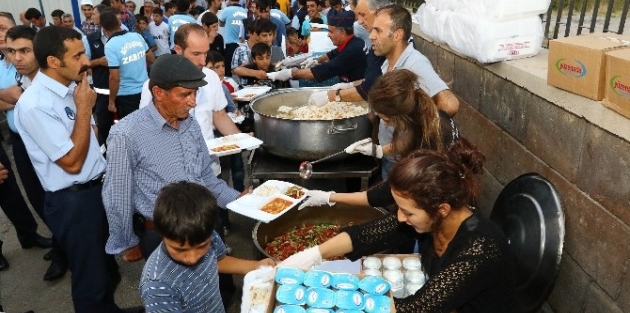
[[153, 147]]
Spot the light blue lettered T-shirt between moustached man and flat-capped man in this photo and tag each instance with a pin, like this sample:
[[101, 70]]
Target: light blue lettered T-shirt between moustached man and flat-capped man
[[127, 52]]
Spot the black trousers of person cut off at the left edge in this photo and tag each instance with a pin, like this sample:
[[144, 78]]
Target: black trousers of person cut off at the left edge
[[14, 206]]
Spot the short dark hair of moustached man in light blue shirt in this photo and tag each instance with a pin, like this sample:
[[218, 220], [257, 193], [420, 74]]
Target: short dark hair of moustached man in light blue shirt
[[50, 42]]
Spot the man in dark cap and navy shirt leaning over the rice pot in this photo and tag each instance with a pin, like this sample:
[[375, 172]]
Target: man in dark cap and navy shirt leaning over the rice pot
[[348, 61]]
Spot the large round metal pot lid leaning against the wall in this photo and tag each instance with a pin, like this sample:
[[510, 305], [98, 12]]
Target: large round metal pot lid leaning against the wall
[[529, 212]]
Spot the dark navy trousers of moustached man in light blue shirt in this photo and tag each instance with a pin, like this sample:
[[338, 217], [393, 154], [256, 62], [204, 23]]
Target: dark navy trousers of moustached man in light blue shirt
[[77, 219]]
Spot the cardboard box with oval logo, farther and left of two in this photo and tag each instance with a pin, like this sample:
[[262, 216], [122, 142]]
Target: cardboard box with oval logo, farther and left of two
[[577, 64]]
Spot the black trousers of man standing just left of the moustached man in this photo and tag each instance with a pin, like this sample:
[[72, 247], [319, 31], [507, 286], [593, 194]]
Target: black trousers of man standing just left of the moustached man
[[33, 187]]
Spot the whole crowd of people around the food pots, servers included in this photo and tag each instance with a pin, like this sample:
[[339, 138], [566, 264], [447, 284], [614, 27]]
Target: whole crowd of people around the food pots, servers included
[[109, 122]]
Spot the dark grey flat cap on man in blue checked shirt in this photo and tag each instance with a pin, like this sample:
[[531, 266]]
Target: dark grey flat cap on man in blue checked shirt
[[176, 70]]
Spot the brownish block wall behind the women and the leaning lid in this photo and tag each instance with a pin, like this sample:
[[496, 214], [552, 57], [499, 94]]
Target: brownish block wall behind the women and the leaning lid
[[520, 132]]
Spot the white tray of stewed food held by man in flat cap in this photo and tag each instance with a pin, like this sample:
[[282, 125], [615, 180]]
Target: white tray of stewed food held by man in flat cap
[[269, 200]]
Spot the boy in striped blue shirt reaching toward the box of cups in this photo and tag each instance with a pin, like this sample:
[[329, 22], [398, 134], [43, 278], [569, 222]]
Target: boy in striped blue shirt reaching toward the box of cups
[[181, 275]]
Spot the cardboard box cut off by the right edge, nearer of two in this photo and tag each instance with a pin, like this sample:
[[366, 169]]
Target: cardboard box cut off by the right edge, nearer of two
[[617, 85]]
